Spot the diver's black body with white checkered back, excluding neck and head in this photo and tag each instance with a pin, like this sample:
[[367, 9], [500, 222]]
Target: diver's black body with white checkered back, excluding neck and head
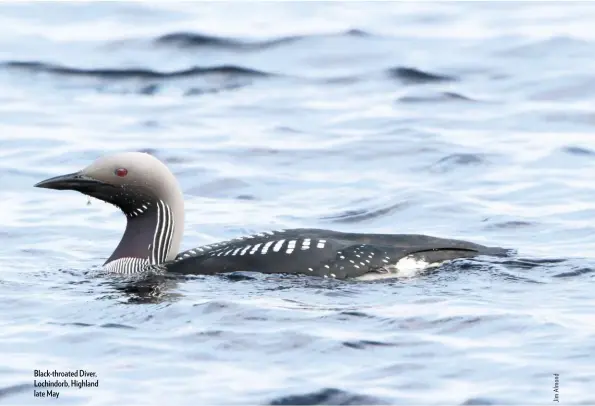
[[325, 253]]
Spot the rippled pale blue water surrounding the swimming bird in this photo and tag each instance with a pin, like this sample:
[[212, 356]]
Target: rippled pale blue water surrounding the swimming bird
[[463, 120]]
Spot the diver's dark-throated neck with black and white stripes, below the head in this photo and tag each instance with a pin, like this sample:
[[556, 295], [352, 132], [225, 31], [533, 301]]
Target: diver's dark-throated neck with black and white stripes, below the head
[[152, 233]]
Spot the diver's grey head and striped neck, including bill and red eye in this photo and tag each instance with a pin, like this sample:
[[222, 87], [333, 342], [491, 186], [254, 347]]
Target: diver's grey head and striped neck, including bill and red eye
[[147, 193]]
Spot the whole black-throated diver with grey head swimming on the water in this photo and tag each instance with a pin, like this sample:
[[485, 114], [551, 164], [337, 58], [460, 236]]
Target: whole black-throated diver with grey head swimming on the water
[[150, 197]]
